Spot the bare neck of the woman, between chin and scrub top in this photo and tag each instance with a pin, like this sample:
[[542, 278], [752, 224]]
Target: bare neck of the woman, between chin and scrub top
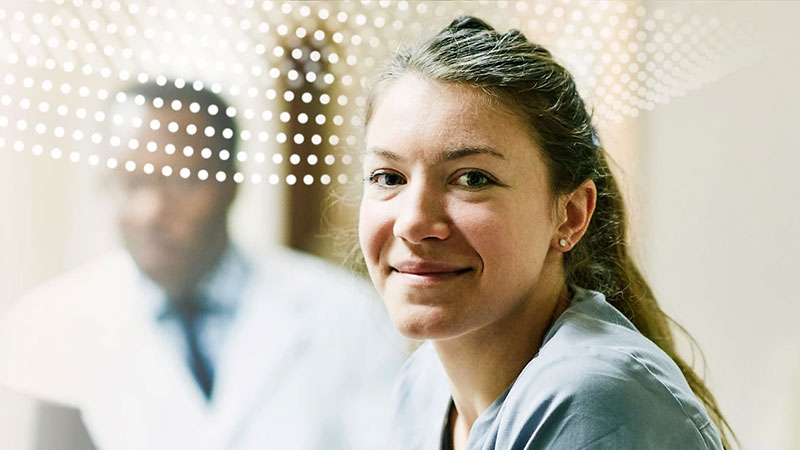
[[482, 364]]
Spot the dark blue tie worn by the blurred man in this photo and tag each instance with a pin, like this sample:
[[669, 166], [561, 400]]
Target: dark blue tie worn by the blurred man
[[189, 315]]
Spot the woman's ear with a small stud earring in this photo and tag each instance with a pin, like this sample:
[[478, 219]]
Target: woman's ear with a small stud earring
[[574, 214]]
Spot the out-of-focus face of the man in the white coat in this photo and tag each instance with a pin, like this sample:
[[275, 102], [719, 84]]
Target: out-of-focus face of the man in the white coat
[[173, 227]]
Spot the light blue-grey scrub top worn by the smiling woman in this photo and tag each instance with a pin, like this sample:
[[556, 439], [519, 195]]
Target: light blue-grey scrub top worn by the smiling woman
[[596, 383]]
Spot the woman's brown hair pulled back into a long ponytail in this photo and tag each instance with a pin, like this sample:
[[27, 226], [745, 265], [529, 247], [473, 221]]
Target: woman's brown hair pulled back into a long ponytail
[[525, 76]]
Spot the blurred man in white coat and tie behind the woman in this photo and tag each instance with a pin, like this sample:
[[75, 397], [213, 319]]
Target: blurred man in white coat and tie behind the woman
[[185, 341]]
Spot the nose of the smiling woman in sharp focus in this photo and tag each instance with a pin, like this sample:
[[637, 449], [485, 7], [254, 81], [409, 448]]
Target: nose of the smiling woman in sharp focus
[[422, 215]]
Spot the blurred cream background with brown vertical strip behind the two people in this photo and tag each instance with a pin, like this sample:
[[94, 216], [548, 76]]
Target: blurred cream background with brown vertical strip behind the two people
[[697, 102]]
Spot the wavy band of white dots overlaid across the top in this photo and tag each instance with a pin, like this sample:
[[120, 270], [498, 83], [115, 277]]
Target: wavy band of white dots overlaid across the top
[[294, 73]]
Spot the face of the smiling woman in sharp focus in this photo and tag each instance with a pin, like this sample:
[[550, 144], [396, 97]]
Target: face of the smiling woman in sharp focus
[[456, 220]]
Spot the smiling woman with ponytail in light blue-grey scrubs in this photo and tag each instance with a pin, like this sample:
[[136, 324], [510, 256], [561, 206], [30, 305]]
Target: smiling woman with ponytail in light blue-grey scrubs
[[492, 227]]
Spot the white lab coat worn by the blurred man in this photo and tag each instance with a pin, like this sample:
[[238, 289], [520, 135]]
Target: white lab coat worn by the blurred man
[[308, 364]]
